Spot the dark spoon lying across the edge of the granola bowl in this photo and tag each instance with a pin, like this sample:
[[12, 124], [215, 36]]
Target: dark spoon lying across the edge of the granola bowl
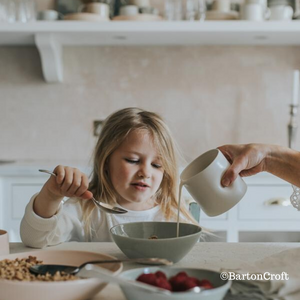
[[52, 269]]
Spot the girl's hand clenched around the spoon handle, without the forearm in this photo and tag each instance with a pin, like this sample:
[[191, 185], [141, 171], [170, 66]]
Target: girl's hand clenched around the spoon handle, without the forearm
[[69, 182]]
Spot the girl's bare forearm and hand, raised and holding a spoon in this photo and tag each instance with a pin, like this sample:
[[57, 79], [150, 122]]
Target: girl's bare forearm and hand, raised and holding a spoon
[[69, 182]]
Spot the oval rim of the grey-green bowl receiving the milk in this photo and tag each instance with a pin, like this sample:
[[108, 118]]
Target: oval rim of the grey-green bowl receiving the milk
[[156, 240]]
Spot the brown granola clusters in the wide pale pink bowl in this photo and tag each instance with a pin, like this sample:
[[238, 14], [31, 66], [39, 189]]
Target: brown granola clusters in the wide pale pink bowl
[[18, 270]]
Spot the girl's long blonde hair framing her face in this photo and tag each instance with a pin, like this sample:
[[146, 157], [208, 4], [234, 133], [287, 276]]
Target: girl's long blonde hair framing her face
[[115, 130]]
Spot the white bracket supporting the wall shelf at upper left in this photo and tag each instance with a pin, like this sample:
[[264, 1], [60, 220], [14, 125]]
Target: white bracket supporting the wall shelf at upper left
[[50, 51]]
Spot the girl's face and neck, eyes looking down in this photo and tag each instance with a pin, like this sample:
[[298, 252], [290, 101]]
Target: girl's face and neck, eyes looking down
[[135, 171]]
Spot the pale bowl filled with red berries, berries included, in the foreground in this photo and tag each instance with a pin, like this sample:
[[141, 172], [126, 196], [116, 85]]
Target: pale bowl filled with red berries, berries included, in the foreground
[[181, 282]]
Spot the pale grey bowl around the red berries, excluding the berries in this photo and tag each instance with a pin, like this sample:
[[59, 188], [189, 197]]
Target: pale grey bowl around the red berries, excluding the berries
[[217, 293]]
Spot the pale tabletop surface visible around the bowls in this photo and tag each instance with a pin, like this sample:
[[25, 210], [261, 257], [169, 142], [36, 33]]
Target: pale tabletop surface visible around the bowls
[[204, 255]]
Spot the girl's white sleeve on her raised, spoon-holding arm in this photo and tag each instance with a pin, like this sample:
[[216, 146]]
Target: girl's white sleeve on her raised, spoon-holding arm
[[65, 225]]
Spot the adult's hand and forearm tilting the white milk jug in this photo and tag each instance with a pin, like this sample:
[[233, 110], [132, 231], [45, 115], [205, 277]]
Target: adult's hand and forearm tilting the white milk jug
[[251, 159]]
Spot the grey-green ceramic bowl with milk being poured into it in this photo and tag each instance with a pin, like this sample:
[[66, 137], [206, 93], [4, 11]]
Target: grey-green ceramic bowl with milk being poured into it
[[133, 239]]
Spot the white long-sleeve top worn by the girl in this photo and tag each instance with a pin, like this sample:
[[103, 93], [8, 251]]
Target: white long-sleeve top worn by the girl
[[66, 225]]
